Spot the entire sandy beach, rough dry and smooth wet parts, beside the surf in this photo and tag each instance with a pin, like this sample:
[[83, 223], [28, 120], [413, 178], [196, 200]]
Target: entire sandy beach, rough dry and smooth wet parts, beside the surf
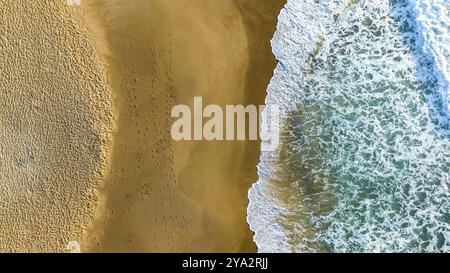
[[85, 145]]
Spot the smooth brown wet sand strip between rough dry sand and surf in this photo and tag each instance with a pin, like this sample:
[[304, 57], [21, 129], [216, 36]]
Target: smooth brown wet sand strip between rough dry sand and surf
[[160, 195]]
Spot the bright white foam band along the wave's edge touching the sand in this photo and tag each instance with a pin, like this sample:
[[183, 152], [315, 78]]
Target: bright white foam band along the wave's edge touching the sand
[[301, 26]]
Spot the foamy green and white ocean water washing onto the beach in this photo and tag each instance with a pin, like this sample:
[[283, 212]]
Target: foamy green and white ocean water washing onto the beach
[[364, 159]]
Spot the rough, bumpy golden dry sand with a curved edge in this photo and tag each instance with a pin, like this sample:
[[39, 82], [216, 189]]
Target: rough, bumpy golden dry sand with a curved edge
[[55, 112]]
